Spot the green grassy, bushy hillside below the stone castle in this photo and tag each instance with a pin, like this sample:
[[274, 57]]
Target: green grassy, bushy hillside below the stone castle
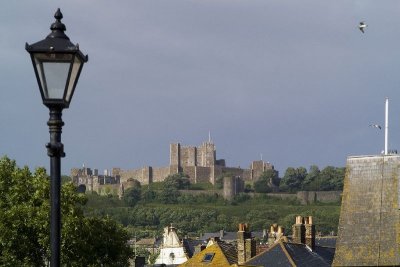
[[199, 214]]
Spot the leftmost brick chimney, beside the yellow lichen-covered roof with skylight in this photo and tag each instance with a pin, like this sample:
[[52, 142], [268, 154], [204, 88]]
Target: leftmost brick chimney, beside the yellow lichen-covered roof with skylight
[[245, 243]]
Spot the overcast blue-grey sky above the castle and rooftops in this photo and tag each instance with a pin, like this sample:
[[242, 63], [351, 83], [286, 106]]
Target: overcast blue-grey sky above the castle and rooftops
[[295, 81]]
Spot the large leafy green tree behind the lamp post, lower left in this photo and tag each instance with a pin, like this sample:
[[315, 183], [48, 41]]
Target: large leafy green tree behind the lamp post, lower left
[[25, 231]]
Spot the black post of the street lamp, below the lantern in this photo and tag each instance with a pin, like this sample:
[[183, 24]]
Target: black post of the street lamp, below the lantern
[[55, 150]]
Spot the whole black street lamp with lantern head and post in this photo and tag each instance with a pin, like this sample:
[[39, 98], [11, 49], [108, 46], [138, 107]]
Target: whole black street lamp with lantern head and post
[[57, 63]]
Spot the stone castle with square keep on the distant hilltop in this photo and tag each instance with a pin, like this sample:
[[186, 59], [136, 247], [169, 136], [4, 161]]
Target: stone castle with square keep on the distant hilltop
[[198, 163]]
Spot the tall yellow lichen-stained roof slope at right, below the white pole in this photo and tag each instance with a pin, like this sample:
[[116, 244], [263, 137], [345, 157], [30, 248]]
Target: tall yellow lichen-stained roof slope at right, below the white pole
[[369, 224]]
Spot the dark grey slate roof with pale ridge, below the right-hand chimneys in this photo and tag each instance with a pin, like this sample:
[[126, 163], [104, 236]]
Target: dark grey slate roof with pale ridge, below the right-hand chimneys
[[293, 254]]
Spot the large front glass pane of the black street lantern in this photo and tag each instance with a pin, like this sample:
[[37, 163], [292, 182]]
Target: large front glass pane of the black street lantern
[[56, 75]]
